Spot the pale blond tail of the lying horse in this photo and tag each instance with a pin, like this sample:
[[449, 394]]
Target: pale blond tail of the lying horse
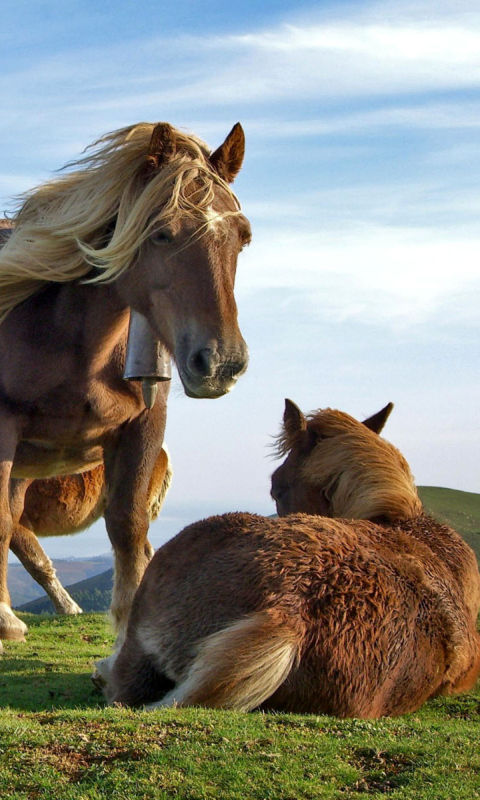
[[240, 666]]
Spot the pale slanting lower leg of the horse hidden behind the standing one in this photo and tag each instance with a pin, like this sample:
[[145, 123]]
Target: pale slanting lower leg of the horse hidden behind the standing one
[[25, 545]]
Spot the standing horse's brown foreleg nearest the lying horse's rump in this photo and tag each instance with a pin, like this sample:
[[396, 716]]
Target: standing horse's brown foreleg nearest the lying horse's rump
[[128, 470]]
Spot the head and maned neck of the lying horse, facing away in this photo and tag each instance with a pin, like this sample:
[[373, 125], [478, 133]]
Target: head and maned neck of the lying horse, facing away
[[339, 467]]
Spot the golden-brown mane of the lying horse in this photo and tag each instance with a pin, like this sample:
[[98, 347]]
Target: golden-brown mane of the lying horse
[[362, 475]]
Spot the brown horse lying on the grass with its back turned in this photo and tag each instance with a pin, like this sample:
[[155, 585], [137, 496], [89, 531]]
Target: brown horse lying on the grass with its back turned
[[366, 614]]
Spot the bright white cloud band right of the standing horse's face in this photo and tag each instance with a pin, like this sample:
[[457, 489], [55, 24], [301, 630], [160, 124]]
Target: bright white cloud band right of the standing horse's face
[[395, 277]]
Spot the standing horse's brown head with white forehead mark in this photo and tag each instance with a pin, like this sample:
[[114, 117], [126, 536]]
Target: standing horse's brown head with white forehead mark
[[182, 279]]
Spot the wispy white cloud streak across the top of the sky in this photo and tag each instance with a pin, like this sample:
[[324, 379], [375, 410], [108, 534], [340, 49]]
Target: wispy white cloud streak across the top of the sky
[[365, 56]]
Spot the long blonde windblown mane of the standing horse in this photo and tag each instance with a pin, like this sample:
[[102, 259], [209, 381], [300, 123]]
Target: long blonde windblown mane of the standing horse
[[61, 228]]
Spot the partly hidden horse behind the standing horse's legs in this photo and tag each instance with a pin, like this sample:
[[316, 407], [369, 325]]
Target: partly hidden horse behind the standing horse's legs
[[65, 505]]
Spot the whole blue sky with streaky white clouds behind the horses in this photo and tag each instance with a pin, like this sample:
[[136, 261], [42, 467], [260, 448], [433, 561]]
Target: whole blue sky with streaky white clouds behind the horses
[[361, 180]]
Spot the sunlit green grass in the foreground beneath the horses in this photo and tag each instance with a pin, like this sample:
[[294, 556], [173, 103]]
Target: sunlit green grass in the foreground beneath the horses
[[57, 740]]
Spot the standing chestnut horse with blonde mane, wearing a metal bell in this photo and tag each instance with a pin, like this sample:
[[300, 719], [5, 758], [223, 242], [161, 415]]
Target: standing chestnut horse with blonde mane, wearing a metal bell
[[145, 221]]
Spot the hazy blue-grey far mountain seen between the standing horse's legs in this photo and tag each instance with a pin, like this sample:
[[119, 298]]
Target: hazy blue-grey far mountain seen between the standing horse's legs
[[70, 571]]
